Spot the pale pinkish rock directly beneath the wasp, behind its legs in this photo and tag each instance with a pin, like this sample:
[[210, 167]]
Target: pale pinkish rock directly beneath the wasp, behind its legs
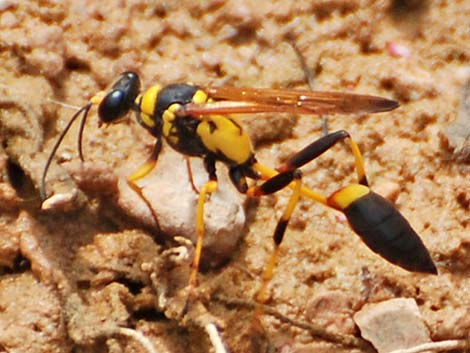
[[168, 192]]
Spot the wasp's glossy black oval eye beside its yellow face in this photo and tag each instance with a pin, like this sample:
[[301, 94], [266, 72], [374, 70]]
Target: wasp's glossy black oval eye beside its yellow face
[[117, 103]]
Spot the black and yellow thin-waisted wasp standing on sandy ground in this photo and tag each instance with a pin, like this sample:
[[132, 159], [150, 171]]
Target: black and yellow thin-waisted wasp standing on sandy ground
[[197, 122]]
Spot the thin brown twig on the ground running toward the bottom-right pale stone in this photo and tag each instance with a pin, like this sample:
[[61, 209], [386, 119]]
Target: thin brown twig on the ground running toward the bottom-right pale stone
[[315, 330]]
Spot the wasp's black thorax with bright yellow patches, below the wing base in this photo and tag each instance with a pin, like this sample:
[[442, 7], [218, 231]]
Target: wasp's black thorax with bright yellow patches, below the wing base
[[219, 136]]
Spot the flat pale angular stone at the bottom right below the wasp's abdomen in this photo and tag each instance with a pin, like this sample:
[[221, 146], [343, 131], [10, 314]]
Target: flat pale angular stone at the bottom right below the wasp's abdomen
[[392, 324]]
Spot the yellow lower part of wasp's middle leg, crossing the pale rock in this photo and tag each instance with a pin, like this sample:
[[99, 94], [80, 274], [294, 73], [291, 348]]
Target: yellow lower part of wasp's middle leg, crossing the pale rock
[[207, 189]]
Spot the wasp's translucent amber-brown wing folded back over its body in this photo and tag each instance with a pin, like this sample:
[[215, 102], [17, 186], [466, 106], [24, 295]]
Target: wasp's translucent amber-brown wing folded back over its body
[[234, 100]]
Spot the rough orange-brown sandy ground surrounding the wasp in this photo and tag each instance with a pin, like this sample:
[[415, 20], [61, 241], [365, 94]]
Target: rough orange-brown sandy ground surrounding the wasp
[[75, 277]]
